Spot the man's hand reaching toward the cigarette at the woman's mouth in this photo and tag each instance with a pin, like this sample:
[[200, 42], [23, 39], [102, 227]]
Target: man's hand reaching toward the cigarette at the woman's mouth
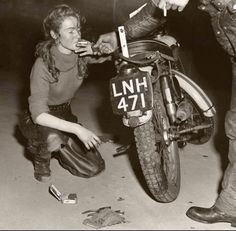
[[107, 43]]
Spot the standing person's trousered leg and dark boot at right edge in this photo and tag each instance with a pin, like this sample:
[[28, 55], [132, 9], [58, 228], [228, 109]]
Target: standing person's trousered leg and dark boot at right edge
[[224, 209]]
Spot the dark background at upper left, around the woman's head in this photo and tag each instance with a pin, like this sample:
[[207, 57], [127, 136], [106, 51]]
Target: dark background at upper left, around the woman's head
[[21, 23]]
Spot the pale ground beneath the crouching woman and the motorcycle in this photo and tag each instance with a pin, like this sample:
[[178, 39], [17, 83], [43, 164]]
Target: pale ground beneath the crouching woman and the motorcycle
[[27, 204]]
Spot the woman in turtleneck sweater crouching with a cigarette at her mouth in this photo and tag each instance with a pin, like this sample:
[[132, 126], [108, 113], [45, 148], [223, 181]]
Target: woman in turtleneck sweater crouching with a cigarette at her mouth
[[55, 77]]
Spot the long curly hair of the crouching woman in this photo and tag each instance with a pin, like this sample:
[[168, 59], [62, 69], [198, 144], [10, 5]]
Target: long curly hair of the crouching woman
[[52, 22]]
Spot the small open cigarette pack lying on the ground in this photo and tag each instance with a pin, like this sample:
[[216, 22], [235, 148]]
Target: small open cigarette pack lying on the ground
[[64, 198]]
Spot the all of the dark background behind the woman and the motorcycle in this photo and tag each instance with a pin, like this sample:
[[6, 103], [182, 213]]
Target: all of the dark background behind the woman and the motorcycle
[[21, 30]]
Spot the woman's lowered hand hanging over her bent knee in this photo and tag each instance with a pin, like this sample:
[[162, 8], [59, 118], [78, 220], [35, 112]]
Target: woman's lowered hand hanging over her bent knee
[[89, 139]]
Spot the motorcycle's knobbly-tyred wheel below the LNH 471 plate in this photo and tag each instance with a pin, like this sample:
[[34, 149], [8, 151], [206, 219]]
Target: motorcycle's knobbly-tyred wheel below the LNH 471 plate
[[159, 160]]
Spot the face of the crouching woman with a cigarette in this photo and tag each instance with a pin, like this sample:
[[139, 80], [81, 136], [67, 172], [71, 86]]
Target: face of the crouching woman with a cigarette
[[69, 35]]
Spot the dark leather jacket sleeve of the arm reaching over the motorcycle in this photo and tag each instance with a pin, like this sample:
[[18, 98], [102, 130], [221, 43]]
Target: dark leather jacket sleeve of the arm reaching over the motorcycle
[[145, 21]]
